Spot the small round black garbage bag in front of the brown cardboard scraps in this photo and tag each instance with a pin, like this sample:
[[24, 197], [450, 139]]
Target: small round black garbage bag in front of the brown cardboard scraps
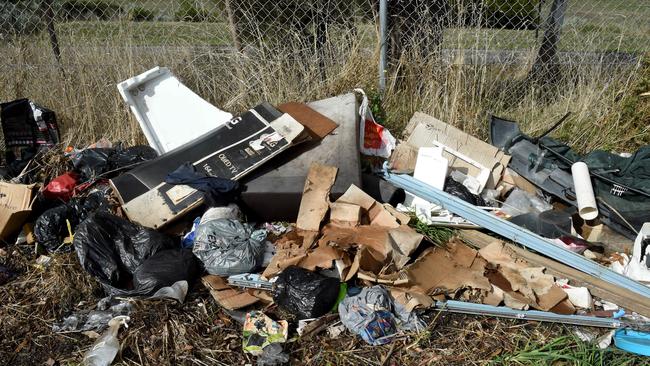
[[305, 294]]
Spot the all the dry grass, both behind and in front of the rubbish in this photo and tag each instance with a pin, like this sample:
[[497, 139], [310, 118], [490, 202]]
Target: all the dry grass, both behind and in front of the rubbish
[[85, 98]]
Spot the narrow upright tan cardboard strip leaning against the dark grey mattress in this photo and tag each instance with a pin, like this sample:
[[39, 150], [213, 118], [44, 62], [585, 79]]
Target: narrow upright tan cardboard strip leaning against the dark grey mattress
[[315, 199]]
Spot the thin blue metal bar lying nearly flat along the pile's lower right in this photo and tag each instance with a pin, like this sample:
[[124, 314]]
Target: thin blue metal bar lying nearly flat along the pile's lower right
[[545, 316]]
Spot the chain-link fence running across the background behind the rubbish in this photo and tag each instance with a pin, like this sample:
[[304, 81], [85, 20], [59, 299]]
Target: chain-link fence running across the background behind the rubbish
[[238, 51]]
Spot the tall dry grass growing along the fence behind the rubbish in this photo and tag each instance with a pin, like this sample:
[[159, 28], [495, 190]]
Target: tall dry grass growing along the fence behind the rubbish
[[84, 95]]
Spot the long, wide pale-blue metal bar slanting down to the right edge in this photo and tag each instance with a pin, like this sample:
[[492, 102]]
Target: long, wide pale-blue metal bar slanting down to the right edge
[[513, 232]]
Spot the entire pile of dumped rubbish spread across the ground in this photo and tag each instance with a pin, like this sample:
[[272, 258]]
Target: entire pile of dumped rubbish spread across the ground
[[272, 209]]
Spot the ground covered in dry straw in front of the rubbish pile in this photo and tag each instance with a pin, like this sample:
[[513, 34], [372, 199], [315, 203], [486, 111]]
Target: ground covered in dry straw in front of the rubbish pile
[[198, 332]]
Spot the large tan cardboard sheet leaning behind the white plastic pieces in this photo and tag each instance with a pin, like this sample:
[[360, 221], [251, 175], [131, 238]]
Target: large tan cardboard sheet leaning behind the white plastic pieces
[[423, 130]]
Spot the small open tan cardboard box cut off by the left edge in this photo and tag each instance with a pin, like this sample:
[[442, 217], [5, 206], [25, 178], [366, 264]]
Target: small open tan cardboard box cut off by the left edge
[[15, 206]]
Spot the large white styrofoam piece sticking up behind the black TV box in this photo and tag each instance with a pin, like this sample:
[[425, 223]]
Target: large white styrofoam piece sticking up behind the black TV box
[[169, 113]]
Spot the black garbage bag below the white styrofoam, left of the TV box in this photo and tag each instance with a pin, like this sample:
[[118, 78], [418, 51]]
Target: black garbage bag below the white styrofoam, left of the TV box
[[93, 162]]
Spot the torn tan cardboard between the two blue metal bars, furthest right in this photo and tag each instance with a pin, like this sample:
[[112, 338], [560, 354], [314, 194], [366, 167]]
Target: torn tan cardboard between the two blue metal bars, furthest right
[[525, 284]]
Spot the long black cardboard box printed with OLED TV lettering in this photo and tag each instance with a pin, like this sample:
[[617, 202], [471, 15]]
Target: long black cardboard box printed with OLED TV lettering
[[231, 151]]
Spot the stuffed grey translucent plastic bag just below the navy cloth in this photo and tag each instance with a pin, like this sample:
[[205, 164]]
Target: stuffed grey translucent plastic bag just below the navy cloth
[[228, 247]]
